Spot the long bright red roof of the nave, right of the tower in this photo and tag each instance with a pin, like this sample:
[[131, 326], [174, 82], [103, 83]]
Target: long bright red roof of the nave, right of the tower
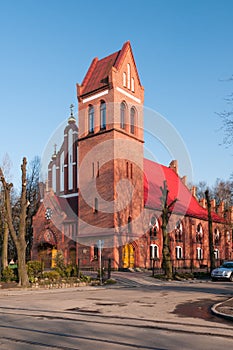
[[154, 176]]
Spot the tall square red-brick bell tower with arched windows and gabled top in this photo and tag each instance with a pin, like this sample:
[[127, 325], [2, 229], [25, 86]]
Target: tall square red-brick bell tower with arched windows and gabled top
[[110, 149]]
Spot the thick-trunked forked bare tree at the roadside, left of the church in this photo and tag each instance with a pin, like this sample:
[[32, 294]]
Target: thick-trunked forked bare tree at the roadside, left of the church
[[18, 236]]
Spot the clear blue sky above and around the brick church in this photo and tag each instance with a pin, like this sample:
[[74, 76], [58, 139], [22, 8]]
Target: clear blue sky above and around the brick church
[[183, 51]]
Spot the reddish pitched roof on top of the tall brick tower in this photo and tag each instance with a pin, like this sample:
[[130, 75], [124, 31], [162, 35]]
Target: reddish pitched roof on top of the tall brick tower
[[99, 70]]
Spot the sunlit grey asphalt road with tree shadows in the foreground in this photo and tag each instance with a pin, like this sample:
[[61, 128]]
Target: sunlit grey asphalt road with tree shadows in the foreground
[[136, 313]]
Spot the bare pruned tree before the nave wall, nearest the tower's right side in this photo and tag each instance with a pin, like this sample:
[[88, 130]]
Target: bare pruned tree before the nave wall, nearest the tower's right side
[[166, 212]]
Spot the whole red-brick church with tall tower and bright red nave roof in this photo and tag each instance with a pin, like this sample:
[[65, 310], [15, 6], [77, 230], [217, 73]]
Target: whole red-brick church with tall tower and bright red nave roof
[[101, 189]]
